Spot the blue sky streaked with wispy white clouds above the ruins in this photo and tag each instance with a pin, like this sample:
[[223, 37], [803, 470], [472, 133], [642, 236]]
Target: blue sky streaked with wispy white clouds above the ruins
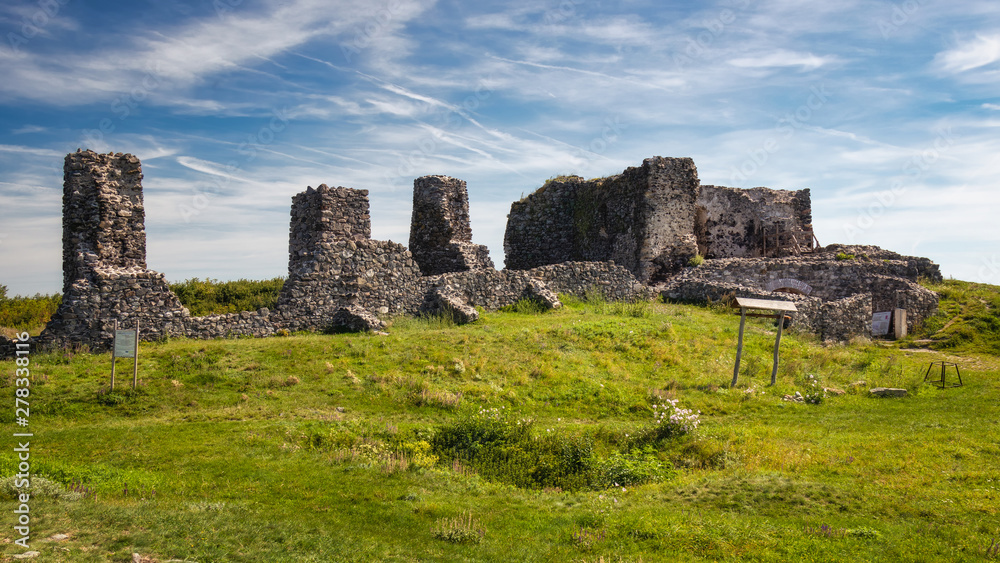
[[888, 111]]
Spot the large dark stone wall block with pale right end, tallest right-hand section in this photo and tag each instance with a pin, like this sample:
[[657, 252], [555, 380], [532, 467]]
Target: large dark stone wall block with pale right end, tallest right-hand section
[[642, 219]]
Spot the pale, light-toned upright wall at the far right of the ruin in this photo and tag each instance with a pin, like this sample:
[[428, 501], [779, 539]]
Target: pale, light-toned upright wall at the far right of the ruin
[[731, 222]]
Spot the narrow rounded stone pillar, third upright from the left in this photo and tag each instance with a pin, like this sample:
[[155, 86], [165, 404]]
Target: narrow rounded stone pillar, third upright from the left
[[440, 230]]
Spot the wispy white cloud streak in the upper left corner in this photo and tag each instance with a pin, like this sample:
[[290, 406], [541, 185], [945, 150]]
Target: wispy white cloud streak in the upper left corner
[[164, 64]]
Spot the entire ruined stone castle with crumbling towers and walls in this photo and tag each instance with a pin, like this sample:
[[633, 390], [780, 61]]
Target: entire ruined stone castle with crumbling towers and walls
[[629, 235]]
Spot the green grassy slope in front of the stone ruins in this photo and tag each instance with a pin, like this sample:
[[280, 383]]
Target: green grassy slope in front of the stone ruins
[[352, 447]]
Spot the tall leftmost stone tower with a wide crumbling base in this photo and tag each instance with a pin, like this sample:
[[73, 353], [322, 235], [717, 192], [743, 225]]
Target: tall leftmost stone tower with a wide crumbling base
[[105, 278]]
